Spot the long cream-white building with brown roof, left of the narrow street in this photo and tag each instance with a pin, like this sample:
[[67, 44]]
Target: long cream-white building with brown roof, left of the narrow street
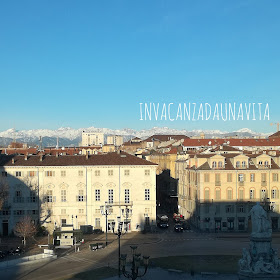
[[57, 190]]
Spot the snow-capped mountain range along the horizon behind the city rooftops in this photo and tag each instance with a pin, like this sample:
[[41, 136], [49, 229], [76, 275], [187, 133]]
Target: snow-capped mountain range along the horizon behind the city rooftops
[[72, 137]]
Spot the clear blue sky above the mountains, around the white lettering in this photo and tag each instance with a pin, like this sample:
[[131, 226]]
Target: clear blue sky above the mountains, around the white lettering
[[90, 63]]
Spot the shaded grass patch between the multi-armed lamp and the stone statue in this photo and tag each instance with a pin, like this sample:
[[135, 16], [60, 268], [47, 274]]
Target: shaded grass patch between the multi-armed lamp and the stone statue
[[221, 264]]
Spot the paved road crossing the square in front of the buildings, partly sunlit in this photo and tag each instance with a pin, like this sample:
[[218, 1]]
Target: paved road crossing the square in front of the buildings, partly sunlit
[[163, 243]]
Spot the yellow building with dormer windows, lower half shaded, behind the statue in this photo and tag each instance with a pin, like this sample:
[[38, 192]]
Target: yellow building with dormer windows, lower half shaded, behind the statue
[[217, 191]]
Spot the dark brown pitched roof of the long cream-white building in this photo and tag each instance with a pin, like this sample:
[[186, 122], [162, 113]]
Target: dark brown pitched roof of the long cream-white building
[[78, 160]]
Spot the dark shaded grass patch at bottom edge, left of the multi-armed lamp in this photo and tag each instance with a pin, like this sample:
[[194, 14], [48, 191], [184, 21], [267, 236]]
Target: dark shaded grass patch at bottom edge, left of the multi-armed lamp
[[96, 274]]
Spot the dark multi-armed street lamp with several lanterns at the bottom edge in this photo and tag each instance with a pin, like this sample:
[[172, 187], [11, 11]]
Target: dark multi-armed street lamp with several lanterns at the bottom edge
[[136, 261]]
